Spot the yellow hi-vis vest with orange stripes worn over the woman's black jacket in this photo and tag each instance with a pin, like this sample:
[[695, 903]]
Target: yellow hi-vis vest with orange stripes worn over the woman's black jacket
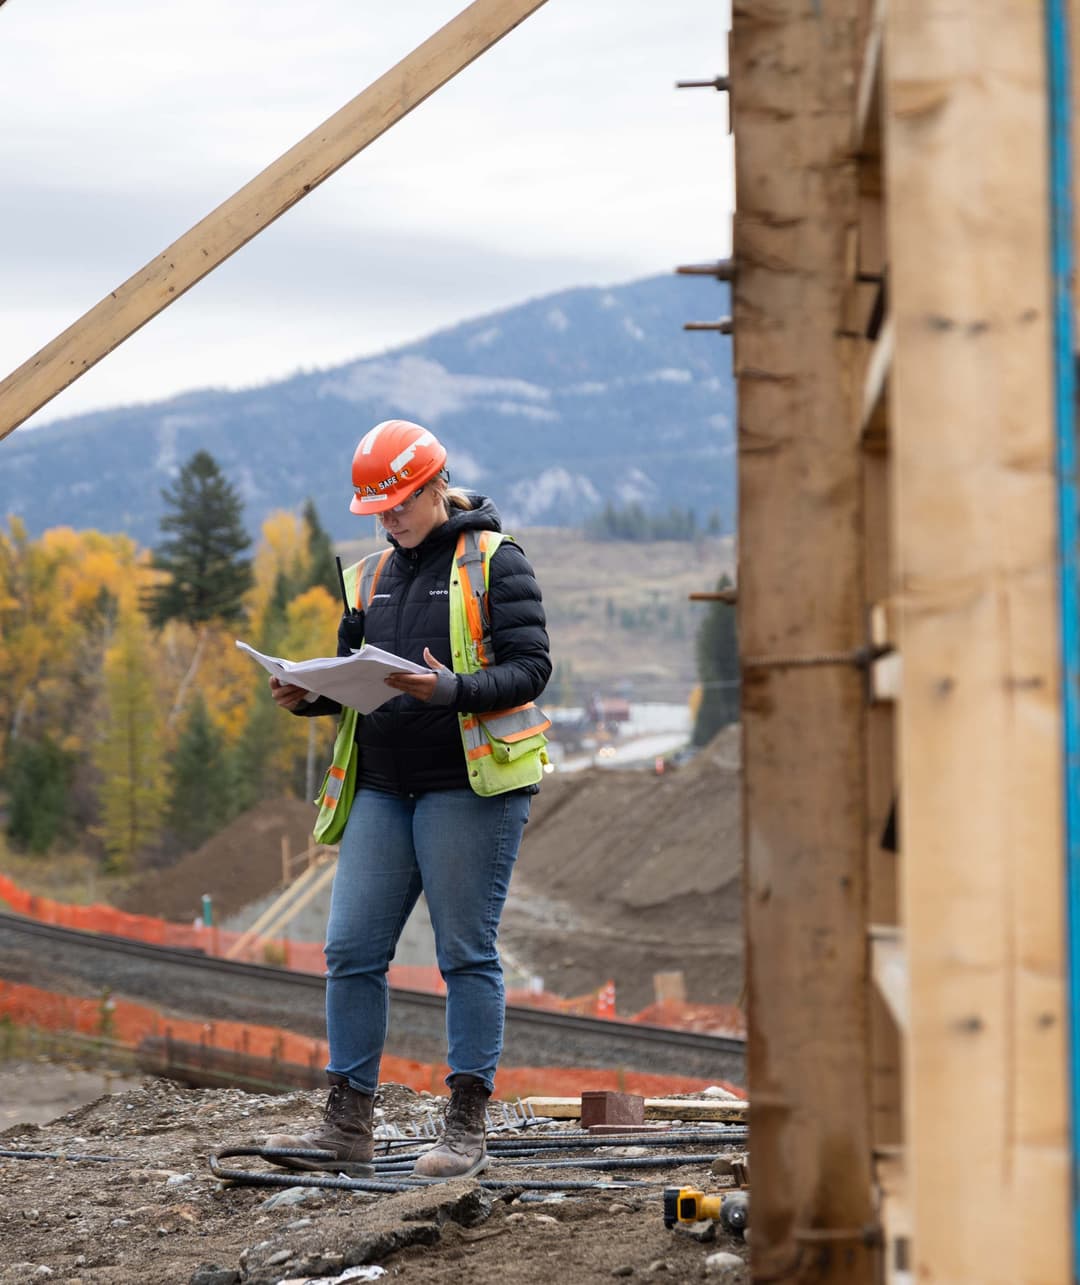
[[506, 750]]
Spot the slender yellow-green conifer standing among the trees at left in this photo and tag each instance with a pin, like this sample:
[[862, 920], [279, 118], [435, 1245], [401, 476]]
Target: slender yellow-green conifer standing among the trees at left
[[130, 755]]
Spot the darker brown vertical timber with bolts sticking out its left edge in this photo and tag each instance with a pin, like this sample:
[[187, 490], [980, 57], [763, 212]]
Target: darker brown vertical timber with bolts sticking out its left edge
[[793, 71]]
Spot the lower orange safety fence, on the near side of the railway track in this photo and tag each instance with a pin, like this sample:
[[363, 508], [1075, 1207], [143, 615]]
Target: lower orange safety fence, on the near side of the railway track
[[128, 1024]]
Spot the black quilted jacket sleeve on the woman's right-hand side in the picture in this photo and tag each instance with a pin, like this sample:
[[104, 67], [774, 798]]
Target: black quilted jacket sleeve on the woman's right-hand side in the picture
[[519, 639]]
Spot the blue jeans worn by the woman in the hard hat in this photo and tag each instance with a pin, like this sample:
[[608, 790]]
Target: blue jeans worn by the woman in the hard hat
[[457, 849]]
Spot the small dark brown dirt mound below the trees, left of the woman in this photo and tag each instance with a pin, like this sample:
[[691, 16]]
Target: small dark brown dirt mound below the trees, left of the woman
[[236, 868]]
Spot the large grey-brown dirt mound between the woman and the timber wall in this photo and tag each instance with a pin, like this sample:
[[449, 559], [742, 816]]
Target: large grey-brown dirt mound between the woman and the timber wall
[[624, 874]]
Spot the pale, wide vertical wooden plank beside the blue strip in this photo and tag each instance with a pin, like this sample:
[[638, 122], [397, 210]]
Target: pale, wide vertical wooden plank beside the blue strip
[[975, 543]]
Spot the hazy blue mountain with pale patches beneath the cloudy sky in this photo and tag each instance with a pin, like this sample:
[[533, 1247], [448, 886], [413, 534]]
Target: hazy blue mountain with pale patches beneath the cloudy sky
[[553, 408]]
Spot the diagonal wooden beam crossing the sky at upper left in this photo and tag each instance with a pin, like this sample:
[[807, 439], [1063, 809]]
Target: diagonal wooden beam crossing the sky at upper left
[[235, 223]]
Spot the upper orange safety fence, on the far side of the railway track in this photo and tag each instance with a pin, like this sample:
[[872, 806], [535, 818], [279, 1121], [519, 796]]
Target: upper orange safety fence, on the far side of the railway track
[[308, 958]]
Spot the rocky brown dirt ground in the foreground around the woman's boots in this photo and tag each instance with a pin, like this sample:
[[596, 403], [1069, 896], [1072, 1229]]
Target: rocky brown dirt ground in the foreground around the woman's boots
[[148, 1210]]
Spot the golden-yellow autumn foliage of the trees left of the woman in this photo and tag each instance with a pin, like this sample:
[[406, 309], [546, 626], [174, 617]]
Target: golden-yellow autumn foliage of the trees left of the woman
[[73, 634]]
